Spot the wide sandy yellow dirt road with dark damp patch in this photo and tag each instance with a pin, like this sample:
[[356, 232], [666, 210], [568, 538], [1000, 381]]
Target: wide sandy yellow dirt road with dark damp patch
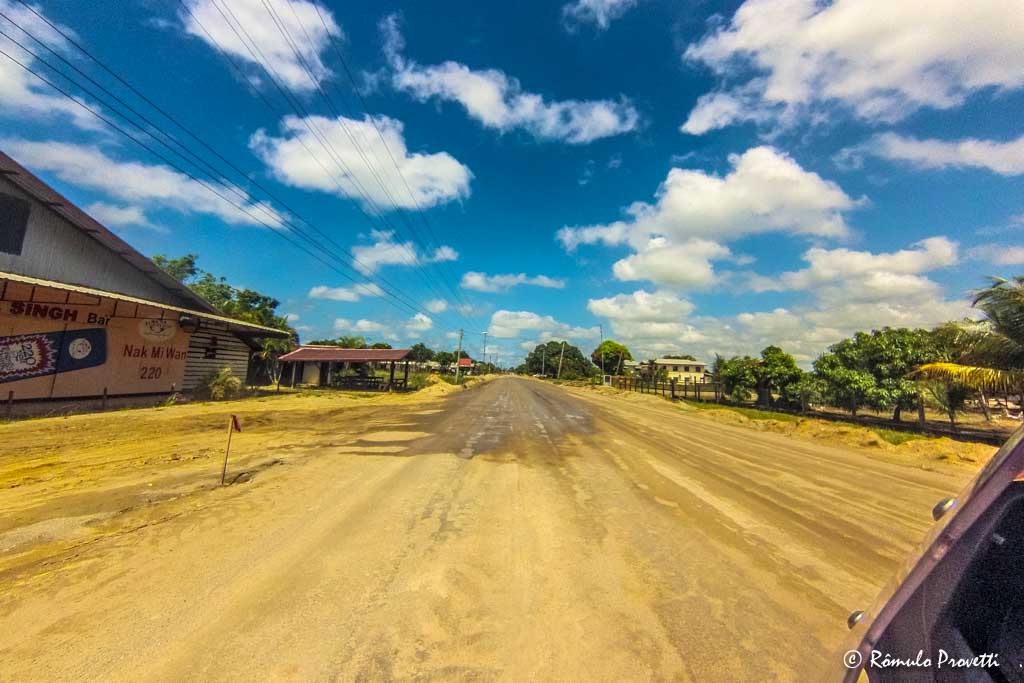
[[515, 531]]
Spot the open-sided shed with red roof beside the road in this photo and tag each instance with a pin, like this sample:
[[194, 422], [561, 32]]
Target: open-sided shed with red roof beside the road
[[314, 365]]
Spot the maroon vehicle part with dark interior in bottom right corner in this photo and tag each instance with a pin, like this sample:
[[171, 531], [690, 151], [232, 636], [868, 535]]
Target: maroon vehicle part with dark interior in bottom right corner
[[956, 611]]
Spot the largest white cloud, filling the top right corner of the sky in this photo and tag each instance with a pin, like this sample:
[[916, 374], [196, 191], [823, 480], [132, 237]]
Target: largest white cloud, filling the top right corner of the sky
[[881, 60]]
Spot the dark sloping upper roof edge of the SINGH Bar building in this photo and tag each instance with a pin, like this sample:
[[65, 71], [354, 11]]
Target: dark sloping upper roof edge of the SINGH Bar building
[[32, 185]]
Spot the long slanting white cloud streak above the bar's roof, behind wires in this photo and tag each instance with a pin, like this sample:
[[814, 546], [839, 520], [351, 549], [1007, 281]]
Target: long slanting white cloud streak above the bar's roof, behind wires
[[148, 185]]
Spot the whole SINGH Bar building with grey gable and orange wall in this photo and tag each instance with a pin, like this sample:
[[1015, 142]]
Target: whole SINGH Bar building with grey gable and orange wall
[[84, 315]]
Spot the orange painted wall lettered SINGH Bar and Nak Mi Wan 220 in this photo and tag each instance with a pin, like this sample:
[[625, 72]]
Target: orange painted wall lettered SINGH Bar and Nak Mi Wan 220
[[76, 347]]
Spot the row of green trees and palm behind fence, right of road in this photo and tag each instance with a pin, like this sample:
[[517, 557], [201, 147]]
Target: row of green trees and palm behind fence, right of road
[[898, 369]]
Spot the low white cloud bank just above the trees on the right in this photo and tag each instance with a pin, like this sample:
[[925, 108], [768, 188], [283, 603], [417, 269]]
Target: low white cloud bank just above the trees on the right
[[847, 290]]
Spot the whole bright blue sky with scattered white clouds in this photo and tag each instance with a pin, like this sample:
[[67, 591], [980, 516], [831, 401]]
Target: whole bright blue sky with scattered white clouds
[[691, 177]]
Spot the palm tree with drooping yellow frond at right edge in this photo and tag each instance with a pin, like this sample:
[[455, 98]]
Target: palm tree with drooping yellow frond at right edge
[[989, 355]]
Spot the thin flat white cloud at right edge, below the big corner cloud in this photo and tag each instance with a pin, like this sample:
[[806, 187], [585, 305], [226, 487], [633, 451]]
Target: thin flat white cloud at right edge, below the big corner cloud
[[1003, 158]]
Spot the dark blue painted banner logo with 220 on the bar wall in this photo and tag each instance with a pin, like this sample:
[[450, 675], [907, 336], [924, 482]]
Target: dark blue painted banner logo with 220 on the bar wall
[[28, 356]]
